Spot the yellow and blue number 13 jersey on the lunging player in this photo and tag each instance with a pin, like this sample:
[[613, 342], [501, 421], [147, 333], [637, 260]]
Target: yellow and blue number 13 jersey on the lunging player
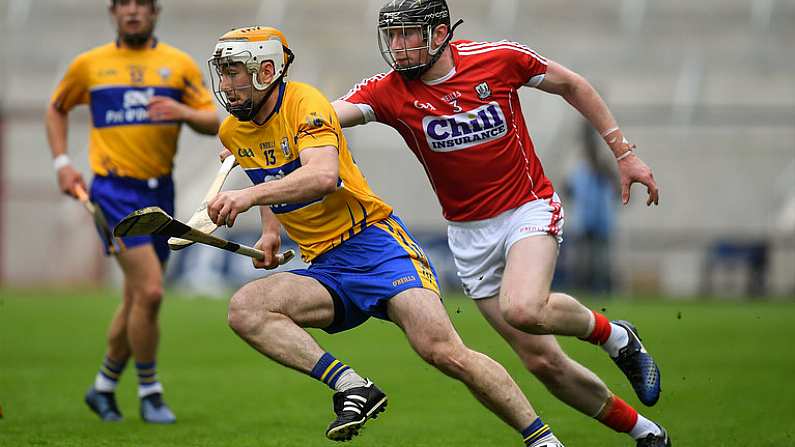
[[304, 118]]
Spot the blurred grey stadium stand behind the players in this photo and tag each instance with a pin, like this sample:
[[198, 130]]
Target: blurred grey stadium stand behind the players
[[706, 89]]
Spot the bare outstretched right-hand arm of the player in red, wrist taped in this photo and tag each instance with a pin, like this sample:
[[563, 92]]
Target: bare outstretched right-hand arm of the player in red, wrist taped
[[578, 92]]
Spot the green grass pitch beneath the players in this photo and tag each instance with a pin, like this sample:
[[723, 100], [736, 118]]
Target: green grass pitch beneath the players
[[726, 370]]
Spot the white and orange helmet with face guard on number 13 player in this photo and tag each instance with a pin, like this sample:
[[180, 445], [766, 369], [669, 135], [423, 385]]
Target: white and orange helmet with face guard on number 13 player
[[251, 54]]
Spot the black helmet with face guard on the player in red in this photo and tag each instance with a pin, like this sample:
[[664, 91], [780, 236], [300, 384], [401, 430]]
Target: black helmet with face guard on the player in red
[[424, 15]]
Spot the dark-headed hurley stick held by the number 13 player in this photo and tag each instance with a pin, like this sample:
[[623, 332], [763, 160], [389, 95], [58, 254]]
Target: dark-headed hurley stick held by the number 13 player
[[153, 220]]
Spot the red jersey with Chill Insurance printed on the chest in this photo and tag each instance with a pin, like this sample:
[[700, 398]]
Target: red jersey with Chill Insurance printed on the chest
[[467, 128]]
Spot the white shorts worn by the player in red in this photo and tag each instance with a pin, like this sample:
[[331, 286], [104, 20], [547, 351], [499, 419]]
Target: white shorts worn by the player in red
[[480, 248]]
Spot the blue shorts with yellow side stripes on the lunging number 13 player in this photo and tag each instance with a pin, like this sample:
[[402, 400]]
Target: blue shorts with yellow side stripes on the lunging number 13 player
[[368, 269]]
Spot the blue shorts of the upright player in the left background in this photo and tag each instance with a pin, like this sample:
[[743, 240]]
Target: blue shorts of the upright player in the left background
[[119, 196]]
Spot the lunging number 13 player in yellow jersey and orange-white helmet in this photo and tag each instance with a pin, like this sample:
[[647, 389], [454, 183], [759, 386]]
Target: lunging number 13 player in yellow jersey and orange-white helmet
[[363, 261]]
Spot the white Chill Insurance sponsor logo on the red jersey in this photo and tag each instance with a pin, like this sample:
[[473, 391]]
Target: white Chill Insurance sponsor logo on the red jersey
[[466, 129]]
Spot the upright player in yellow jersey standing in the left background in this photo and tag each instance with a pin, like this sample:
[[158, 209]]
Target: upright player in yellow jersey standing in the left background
[[139, 92]]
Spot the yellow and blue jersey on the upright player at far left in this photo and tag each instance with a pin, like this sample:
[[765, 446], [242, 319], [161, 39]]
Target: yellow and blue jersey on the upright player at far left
[[117, 83]]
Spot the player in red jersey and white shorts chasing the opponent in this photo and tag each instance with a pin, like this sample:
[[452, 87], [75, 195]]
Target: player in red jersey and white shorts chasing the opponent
[[455, 103]]
